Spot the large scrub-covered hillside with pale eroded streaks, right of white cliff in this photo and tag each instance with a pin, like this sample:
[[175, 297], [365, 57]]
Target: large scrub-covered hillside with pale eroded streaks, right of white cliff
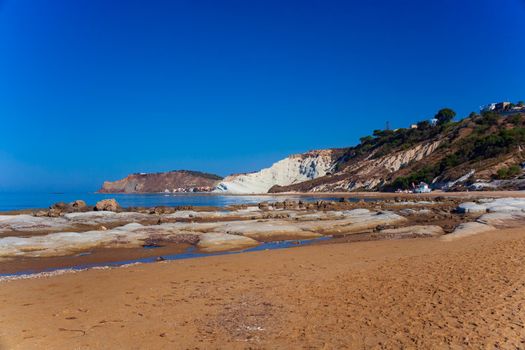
[[477, 149]]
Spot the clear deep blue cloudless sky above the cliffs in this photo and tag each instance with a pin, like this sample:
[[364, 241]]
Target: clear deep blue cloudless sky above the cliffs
[[96, 89]]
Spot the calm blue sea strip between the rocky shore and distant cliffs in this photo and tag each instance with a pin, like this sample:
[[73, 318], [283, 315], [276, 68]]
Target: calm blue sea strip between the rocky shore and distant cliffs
[[14, 201]]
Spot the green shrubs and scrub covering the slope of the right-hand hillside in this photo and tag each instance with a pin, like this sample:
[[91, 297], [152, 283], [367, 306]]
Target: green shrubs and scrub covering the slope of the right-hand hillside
[[470, 140]]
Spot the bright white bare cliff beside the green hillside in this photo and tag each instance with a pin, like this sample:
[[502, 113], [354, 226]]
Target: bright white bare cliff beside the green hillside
[[288, 171]]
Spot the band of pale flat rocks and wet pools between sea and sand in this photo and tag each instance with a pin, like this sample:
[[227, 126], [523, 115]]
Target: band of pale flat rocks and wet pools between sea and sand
[[75, 239]]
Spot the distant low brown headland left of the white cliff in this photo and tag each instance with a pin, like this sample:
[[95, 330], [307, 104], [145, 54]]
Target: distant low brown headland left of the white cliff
[[173, 181]]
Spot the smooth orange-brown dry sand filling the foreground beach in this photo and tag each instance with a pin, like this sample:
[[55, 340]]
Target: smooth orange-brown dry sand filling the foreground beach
[[416, 293]]
